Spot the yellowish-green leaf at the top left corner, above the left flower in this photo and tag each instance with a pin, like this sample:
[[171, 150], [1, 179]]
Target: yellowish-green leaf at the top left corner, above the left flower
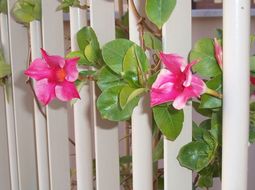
[[26, 11]]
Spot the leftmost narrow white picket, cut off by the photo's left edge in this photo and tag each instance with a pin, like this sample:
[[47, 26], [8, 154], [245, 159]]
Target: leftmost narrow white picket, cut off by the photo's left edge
[[5, 178]]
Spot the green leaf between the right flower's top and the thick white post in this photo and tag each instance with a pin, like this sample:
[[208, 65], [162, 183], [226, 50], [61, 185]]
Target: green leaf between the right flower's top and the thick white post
[[204, 50]]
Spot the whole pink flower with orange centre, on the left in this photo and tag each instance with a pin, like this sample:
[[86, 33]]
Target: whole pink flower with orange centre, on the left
[[55, 77]]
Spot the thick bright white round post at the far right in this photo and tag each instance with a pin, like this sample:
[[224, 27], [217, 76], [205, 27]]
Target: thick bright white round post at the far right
[[236, 26]]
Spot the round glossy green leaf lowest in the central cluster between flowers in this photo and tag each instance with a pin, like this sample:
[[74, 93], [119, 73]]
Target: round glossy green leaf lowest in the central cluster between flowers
[[109, 106]]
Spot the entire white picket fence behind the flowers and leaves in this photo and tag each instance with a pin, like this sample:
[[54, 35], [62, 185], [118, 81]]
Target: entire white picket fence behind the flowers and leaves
[[34, 151]]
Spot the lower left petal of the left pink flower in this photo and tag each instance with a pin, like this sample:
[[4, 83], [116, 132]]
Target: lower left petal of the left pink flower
[[45, 91]]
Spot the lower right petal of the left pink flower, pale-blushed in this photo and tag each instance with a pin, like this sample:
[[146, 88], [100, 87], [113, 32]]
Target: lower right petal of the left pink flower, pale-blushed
[[66, 91]]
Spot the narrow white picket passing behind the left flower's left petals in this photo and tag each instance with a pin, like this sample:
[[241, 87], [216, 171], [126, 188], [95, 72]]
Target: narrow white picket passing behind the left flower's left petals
[[39, 119]]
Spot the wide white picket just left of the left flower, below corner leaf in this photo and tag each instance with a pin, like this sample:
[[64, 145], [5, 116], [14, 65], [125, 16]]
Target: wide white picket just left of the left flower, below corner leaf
[[23, 107]]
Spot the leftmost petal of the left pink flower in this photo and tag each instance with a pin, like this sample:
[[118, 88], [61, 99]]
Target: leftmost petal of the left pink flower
[[39, 70]]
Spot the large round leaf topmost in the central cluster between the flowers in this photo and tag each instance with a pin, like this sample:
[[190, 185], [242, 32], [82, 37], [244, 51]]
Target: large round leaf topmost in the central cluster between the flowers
[[123, 55]]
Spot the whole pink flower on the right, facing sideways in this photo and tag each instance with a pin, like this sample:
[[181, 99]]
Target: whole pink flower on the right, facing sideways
[[176, 82]]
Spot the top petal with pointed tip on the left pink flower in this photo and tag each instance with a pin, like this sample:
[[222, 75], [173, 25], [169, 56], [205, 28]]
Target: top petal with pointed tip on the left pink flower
[[53, 60]]
